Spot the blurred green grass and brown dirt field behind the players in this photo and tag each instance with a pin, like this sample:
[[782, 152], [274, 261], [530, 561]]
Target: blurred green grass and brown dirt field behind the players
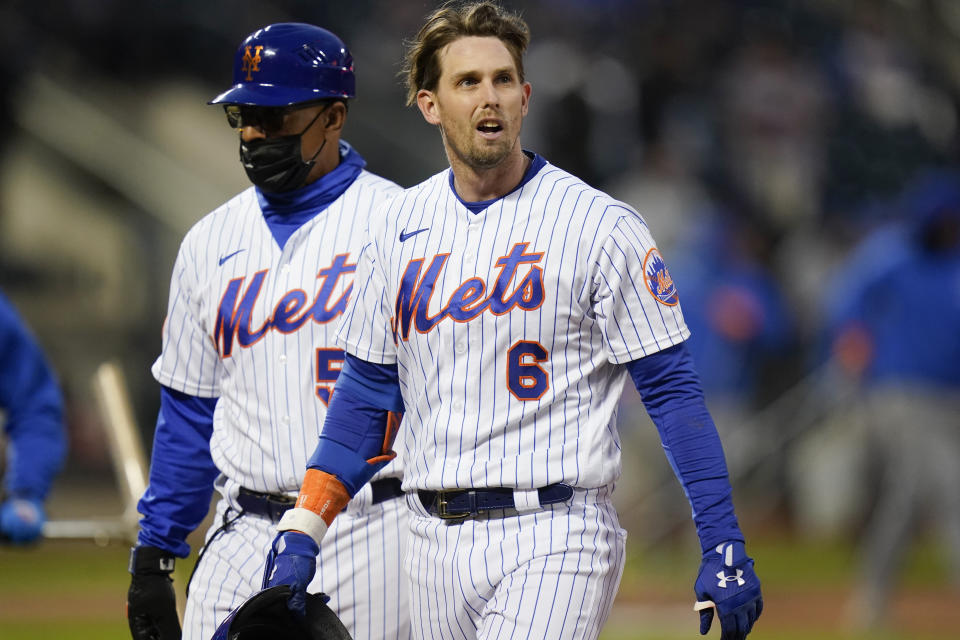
[[78, 590]]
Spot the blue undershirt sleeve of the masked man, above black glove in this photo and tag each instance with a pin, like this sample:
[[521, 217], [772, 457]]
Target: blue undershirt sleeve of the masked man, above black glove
[[182, 472]]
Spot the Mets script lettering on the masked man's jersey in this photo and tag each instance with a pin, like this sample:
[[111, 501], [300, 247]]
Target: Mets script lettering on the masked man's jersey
[[290, 313]]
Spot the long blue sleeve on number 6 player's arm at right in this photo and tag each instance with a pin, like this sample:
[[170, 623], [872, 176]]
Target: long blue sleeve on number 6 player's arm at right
[[670, 389]]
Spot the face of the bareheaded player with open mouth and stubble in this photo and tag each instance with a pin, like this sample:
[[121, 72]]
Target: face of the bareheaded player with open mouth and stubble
[[479, 103]]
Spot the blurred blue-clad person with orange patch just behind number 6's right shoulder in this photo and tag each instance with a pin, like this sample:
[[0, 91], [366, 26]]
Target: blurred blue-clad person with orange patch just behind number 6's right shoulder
[[741, 332]]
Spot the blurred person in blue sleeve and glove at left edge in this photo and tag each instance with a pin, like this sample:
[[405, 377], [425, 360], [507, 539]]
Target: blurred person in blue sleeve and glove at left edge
[[32, 408]]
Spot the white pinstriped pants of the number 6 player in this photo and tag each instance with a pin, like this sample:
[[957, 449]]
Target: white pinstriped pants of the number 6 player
[[551, 573]]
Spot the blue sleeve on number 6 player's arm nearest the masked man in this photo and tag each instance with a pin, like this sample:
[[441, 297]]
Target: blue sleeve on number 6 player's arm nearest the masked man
[[355, 428]]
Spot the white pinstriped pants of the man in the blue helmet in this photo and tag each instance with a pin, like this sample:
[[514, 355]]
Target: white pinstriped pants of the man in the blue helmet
[[359, 567]]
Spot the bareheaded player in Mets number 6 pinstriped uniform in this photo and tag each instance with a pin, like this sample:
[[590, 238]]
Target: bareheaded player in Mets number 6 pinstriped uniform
[[503, 304]]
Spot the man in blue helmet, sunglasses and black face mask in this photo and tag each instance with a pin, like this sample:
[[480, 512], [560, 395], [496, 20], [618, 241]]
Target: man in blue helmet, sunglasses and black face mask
[[249, 357]]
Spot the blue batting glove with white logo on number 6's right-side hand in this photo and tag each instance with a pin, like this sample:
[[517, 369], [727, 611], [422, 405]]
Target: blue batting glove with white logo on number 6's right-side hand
[[727, 582]]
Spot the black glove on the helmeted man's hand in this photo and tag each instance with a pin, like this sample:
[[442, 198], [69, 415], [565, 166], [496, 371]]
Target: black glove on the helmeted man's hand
[[151, 601]]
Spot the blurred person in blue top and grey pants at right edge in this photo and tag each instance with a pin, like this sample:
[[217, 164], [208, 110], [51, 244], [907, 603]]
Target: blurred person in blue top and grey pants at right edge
[[894, 326]]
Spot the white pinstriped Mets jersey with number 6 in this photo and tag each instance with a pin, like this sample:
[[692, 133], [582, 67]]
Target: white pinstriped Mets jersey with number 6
[[509, 328]]
